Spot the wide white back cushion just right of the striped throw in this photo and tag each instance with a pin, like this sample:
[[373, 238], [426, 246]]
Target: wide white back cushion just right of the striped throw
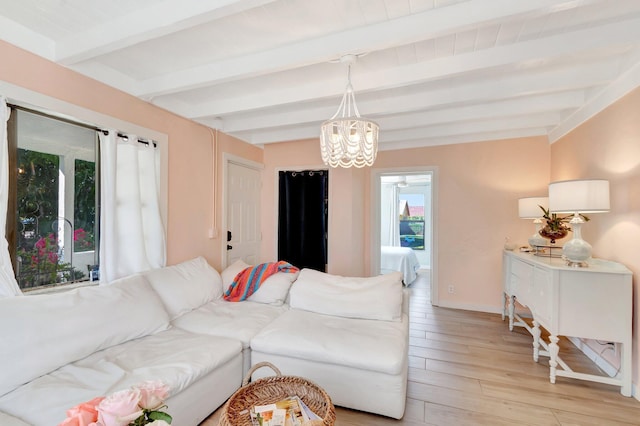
[[378, 297]]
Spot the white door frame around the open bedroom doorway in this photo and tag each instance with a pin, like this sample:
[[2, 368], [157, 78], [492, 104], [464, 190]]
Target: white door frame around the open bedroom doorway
[[376, 175]]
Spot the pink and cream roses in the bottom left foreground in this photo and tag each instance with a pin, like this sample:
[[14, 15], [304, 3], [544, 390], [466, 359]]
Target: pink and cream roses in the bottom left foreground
[[137, 406]]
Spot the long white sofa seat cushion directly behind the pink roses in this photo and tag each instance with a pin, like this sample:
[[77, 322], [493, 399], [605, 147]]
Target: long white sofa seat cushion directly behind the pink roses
[[174, 356]]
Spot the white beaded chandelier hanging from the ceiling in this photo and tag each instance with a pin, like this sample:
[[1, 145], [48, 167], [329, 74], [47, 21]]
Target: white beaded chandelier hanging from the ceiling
[[346, 139]]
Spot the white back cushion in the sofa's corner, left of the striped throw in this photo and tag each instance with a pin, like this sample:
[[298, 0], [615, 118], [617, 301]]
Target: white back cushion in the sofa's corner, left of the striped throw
[[186, 286]]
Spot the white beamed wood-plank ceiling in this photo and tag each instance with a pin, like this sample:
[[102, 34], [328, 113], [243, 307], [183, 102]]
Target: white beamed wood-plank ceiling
[[430, 72]]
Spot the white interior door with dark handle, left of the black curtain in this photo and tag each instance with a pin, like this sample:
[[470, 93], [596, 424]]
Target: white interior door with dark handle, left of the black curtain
[[243, 213]]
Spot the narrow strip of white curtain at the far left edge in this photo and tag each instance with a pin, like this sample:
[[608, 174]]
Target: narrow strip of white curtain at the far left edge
[[8, 285]]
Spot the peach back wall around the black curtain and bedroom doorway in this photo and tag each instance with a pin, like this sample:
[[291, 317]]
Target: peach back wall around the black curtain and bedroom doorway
[[479, 185]]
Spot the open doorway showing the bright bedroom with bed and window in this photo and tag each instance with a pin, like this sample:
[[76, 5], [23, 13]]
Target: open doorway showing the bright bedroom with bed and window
[[403, 224]]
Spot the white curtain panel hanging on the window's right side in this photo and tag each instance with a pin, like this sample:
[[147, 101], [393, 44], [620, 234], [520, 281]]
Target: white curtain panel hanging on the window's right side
[[131, 231]]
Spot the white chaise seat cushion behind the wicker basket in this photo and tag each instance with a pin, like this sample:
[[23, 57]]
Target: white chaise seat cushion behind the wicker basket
[[357, 343]]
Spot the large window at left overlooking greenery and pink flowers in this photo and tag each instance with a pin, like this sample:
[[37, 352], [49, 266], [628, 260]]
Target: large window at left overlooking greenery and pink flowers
[[52, 229]]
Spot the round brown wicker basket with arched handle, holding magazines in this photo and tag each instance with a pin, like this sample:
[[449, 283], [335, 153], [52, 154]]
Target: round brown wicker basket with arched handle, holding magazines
[[269, 390]]
